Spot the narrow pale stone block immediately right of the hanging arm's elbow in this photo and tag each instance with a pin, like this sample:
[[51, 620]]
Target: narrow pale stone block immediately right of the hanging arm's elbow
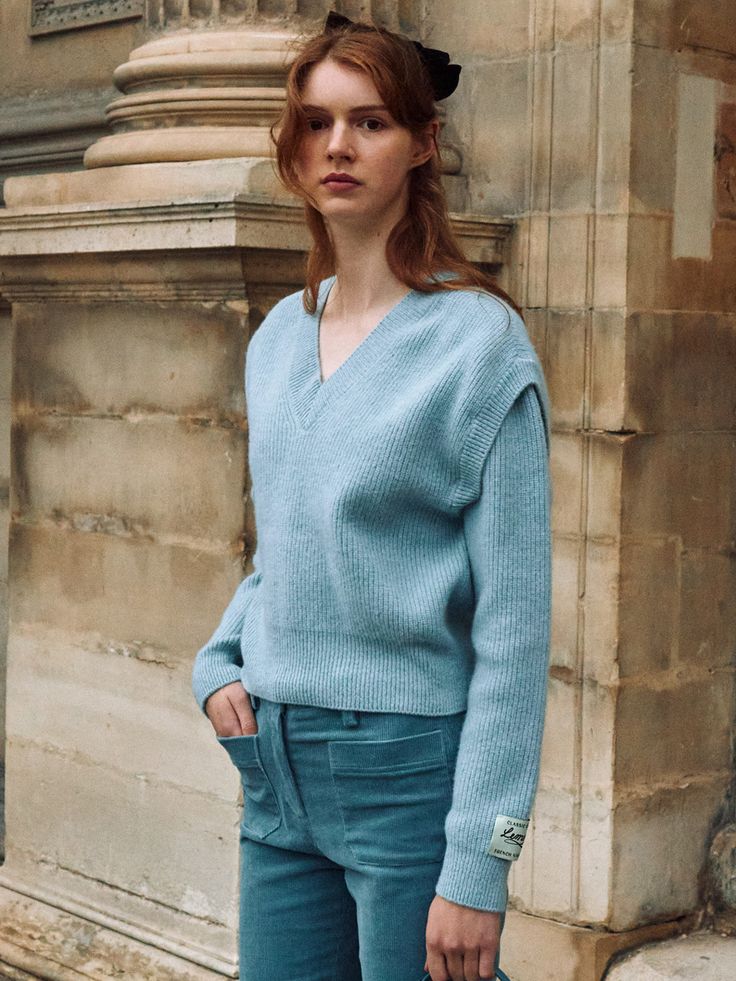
[[565, 602]]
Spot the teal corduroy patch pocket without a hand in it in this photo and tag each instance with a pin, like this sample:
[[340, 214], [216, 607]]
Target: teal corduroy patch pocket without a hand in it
[[393, 795]]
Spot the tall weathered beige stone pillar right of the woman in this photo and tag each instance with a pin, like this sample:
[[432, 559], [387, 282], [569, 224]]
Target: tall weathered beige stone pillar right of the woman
[[593, 127]]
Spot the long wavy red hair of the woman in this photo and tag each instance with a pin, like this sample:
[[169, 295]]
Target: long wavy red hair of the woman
[[422, 244]]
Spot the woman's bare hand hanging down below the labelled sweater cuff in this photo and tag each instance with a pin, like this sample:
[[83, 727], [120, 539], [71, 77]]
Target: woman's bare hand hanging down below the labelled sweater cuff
[[461, 942]]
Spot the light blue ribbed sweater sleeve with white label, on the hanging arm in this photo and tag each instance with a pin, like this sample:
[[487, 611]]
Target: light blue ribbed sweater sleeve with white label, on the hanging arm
[[507, 531]]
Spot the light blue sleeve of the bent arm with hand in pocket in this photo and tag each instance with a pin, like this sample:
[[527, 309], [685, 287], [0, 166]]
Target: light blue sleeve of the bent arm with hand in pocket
[[218, 663]]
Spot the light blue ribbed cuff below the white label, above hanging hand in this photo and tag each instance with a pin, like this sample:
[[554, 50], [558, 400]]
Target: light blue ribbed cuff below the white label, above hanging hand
[[473, 878]]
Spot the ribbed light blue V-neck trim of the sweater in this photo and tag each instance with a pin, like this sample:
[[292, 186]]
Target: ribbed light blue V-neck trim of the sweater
[[308, 392]]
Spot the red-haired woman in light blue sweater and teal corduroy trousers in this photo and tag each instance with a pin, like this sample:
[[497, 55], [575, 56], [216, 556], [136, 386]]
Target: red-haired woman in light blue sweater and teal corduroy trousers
[[379, 679]]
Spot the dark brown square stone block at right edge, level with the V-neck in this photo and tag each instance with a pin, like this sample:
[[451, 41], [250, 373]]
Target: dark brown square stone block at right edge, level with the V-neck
[[680, 368]]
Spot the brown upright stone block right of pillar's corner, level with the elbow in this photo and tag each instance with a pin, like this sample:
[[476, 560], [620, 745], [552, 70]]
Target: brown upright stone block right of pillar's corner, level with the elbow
[[650, 581]]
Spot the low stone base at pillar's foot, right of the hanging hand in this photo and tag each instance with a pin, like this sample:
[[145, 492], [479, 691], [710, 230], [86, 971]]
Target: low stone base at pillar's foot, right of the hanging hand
[[537, 949]]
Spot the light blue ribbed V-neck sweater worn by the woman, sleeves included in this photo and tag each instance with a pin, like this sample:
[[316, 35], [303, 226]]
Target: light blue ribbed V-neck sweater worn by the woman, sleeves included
[[403, 545]]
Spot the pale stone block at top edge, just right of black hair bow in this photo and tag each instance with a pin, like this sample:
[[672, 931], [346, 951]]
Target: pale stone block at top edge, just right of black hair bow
[[500, 28]]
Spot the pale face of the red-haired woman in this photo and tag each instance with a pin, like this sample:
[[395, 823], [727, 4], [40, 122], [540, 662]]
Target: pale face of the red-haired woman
[[354, 159]]
